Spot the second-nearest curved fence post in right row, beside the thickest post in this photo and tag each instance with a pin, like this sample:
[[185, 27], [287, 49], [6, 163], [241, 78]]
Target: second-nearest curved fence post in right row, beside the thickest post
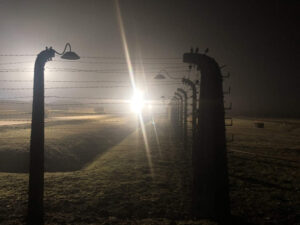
[[194, 111]]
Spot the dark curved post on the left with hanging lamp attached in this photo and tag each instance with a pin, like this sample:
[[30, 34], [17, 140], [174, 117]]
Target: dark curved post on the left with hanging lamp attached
[[36, 167]]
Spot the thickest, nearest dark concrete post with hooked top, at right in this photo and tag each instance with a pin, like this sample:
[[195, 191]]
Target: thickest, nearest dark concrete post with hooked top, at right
[[210, 175]]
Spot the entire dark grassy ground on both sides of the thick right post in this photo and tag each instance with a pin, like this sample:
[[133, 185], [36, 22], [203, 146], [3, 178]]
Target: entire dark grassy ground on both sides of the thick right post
[[114, 184]]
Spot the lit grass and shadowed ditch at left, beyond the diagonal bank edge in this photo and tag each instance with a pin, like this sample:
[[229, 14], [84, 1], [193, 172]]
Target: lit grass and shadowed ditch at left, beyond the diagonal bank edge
[[70, 143]]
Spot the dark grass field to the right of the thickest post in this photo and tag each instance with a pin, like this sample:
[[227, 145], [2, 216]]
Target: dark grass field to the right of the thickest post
[[265, 184]]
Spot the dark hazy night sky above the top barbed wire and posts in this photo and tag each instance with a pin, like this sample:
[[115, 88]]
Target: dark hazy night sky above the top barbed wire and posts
[[257, 40]]
